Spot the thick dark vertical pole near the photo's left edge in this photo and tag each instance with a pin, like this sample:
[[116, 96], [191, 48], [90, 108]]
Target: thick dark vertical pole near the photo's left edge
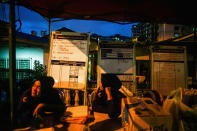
[[12, 60]]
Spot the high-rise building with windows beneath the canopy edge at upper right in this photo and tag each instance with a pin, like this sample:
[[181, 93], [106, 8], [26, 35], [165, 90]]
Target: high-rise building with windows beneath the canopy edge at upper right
[[160, 32]]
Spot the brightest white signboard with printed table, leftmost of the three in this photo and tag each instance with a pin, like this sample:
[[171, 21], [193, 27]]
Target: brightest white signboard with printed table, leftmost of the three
[[68, 59]]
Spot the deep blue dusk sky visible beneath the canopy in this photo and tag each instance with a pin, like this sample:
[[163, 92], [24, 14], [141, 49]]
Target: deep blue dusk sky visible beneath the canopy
[[33, 21]]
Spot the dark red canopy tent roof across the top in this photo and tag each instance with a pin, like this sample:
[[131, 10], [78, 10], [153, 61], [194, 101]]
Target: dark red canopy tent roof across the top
[[154, 11]]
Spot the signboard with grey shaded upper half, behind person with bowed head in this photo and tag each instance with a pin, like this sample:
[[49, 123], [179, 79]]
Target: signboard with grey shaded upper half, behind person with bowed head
[[117, 58]]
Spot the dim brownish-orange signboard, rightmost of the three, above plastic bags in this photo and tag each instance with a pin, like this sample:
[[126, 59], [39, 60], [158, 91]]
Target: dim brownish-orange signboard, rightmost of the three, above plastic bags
[[168, 68]]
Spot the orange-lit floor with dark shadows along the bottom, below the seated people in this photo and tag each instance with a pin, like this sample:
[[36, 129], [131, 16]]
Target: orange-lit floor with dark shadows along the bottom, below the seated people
[[101, 123]]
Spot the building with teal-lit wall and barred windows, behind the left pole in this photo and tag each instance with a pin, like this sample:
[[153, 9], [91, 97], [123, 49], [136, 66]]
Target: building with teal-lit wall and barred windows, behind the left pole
[[29, 49]]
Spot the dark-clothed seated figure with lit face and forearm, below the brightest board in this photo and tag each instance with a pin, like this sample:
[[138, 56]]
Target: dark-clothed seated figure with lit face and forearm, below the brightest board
[[38, 100]]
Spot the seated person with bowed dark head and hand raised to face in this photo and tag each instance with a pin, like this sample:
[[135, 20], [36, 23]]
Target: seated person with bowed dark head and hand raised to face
[[107, 98]]
